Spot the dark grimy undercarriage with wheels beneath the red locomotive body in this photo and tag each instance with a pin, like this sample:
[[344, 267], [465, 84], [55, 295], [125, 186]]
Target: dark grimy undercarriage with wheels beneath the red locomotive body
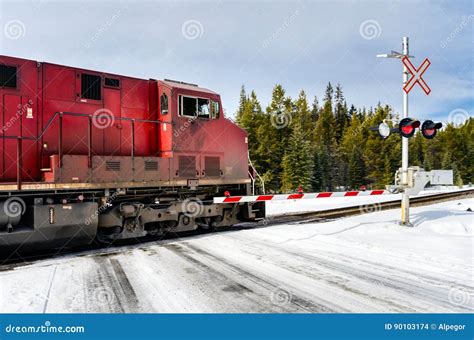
[[60, 219]]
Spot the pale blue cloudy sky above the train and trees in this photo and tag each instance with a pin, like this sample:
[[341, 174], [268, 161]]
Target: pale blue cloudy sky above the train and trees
[[223, 45]]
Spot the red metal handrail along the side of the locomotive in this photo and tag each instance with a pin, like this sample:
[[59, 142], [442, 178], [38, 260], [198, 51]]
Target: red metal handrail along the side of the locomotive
[[59, 115]]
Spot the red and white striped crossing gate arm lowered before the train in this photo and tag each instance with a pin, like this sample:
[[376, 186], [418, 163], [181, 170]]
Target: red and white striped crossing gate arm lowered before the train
[[260, 198]]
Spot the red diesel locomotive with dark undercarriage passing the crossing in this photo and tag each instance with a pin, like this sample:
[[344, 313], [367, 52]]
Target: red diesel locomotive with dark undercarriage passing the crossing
[[90, 155]]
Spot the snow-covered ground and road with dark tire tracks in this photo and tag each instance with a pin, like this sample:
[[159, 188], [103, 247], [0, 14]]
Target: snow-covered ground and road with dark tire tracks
[[366, 263]]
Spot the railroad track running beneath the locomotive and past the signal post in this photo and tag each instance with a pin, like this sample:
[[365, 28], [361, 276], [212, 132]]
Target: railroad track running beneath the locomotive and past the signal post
[[306, 217]]
